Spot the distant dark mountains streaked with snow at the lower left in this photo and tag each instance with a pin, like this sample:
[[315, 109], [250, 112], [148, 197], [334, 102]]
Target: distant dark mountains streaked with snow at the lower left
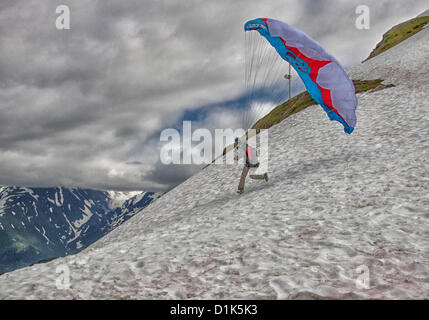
[[43, 223]]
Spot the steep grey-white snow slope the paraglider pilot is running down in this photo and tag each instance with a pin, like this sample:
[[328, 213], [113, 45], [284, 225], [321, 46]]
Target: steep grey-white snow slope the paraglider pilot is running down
[[338, 210]]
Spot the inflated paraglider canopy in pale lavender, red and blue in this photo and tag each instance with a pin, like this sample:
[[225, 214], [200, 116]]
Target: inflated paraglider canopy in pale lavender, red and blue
[[323, 76]]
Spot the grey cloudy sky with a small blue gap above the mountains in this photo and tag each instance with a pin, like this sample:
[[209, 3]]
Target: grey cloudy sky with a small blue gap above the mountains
[[85, 107]]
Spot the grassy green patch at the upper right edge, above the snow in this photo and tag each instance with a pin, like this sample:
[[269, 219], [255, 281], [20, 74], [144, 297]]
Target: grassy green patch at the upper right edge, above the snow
[[398, 34]]
